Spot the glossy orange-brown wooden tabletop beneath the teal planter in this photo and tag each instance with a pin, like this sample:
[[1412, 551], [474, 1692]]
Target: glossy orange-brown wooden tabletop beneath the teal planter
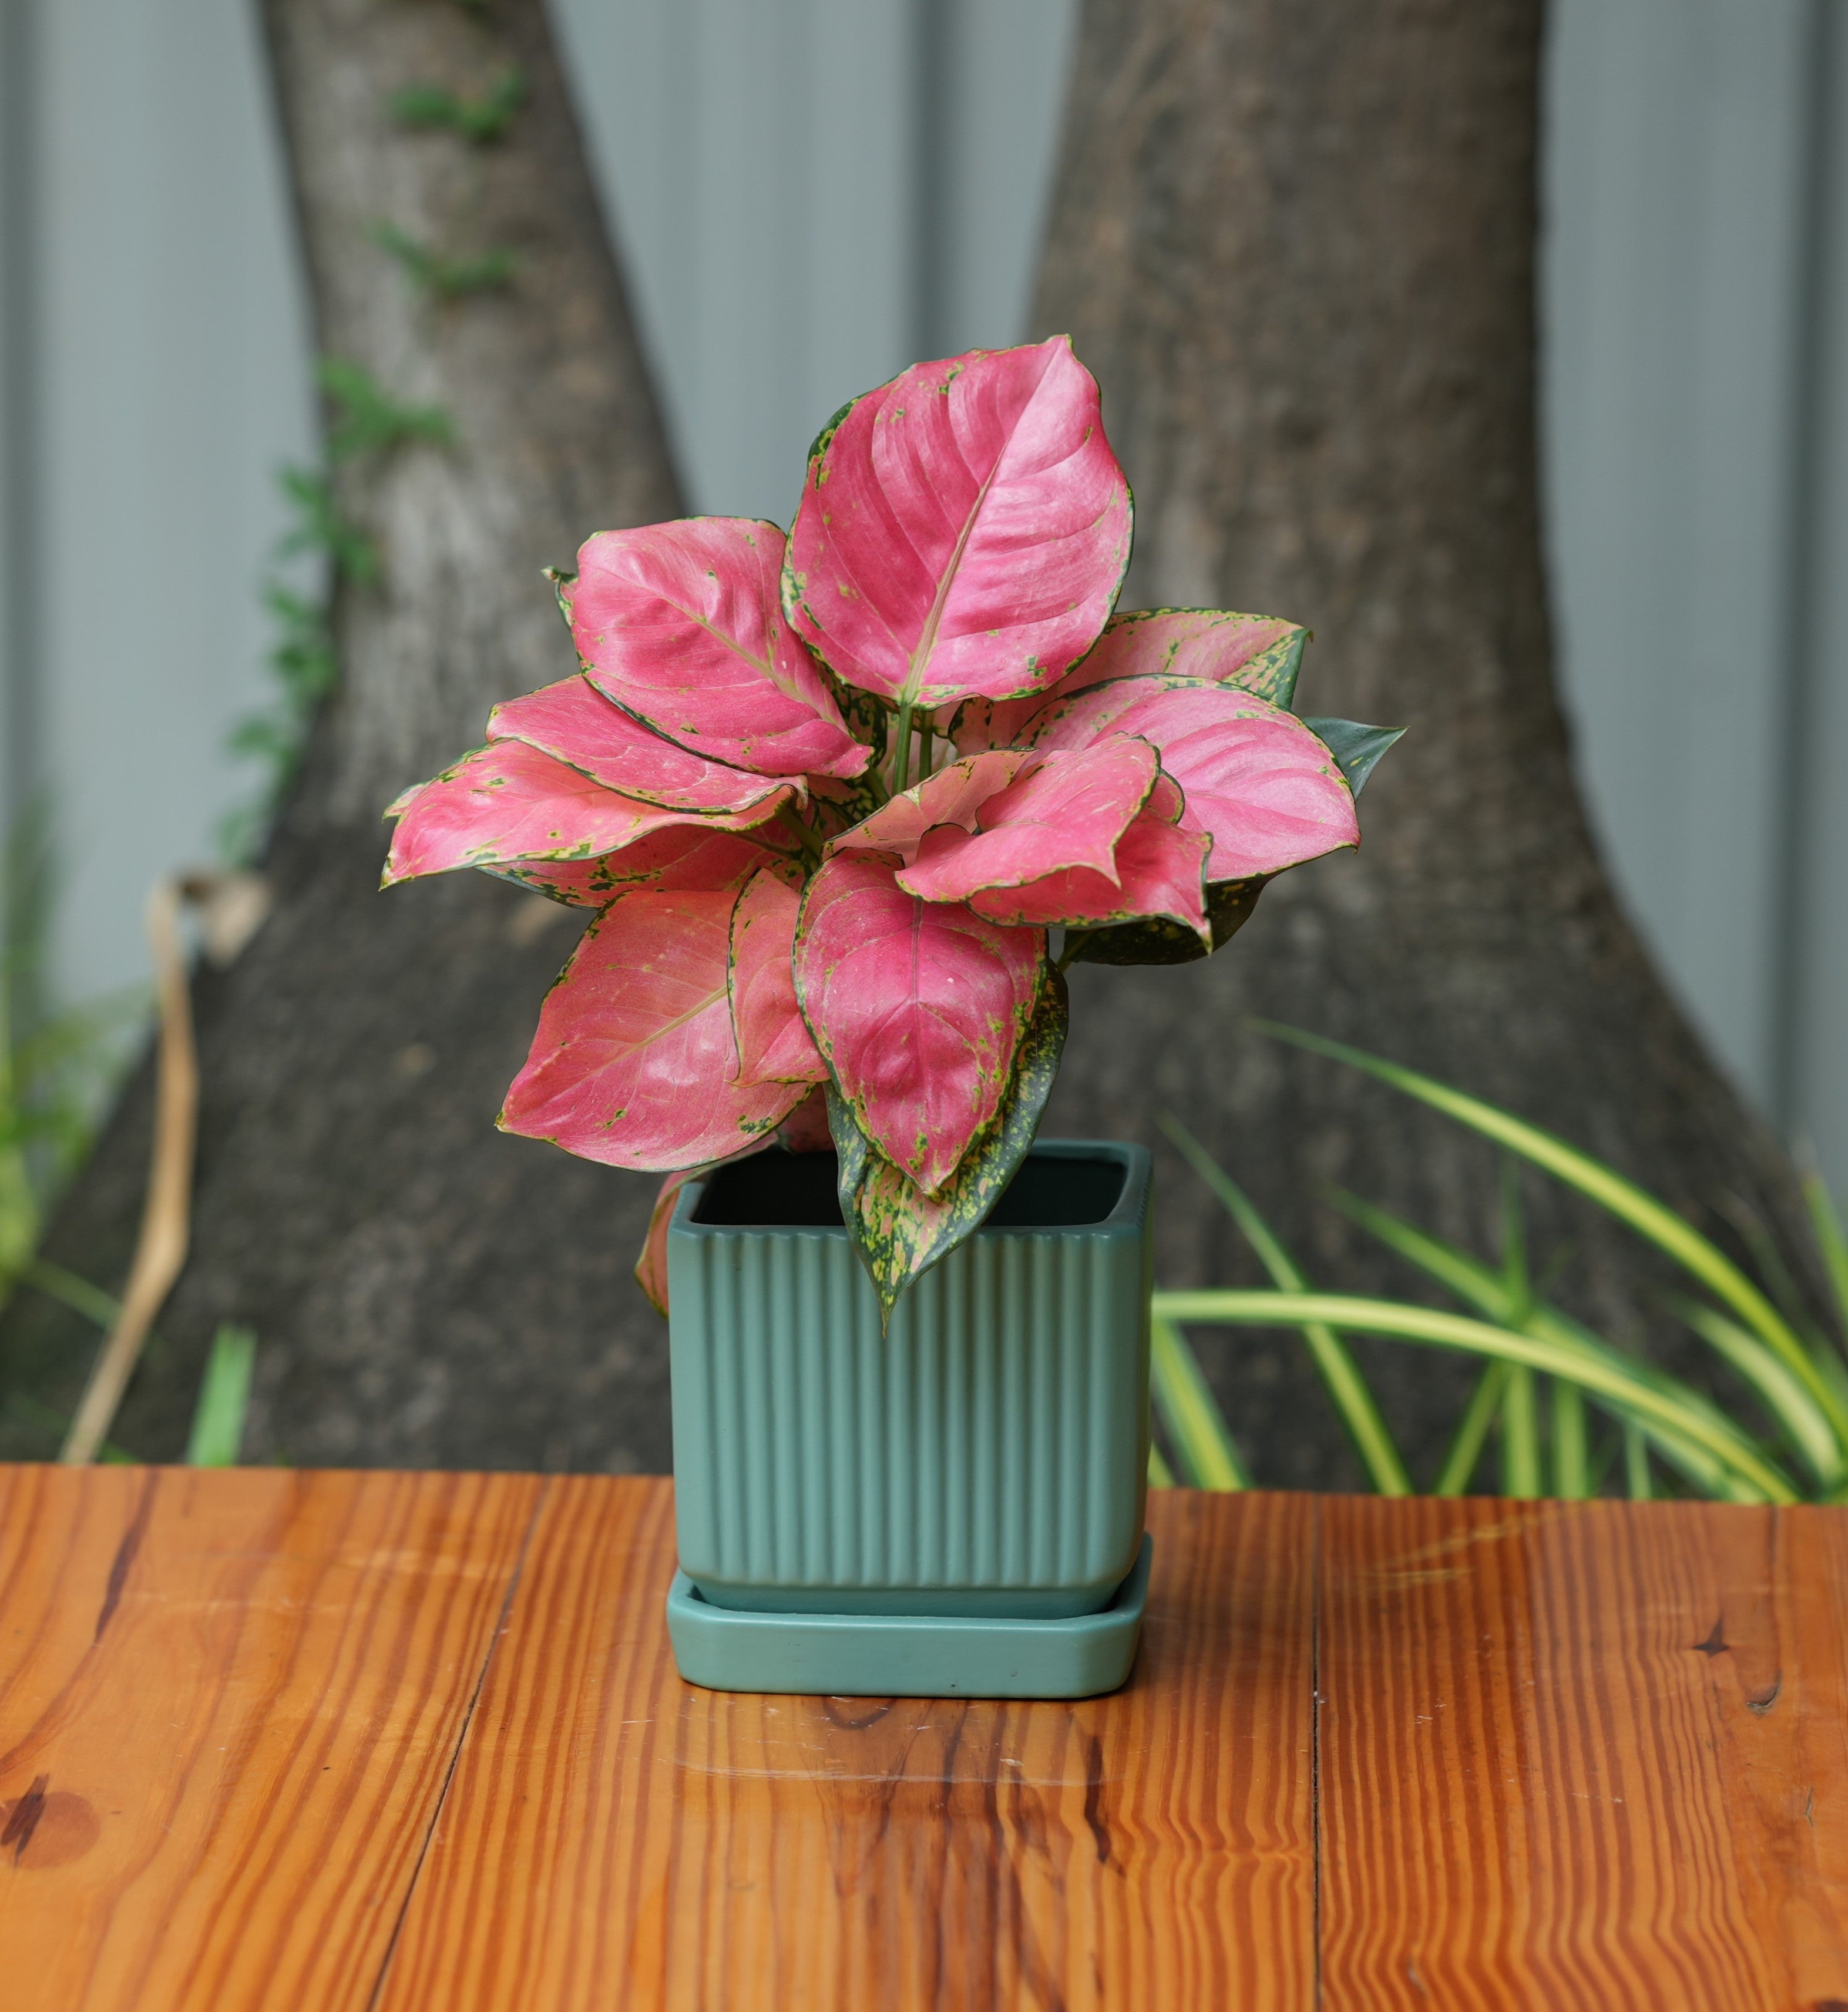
[[387, 1741]]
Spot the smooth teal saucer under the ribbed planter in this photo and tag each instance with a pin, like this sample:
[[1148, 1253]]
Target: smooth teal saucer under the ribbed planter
[[906, 1655]]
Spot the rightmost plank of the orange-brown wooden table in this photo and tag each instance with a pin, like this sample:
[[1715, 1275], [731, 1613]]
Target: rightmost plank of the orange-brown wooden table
[[1565, 1755]]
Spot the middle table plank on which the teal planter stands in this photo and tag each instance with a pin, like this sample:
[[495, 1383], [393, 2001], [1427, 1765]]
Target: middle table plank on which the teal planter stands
[[618, 1838]]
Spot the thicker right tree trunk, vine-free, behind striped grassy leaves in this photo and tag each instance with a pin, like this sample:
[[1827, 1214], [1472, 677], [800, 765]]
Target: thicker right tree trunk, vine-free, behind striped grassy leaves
[[1296, 242]]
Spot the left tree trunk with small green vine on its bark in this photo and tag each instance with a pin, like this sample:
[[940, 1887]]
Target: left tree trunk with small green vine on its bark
[[425, 1291]]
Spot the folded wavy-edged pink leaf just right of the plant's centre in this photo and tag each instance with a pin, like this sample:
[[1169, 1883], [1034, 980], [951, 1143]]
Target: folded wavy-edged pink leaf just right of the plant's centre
[[1061, 814]]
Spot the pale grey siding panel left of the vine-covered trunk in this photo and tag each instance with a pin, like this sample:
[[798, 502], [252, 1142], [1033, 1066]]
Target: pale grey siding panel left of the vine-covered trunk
[[170, 381]]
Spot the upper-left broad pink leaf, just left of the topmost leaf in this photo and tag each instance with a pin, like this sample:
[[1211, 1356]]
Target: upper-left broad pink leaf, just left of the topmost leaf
[[683, 625]]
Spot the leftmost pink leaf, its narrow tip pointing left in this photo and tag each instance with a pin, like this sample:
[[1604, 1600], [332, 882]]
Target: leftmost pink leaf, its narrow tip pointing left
[[510, 802]]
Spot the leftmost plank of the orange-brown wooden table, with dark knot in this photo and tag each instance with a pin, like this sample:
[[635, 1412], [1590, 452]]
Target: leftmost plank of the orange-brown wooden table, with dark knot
[[228, 1707]]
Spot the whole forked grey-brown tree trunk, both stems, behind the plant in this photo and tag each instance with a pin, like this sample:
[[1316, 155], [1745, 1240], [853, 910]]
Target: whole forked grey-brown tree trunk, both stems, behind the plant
[[1296, 242]]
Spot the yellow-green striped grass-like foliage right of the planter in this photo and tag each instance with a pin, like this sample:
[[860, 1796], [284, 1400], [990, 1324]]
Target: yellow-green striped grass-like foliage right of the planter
[[1543, 1371]]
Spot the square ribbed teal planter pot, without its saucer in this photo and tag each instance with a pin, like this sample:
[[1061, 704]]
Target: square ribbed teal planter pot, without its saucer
[[986, 1460]]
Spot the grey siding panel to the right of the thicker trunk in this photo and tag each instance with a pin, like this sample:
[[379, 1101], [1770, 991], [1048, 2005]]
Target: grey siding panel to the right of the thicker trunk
[[1672, 289]]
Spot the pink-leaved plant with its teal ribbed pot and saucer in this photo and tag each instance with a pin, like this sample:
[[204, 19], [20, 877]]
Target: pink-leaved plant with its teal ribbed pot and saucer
[[829, 798]]
